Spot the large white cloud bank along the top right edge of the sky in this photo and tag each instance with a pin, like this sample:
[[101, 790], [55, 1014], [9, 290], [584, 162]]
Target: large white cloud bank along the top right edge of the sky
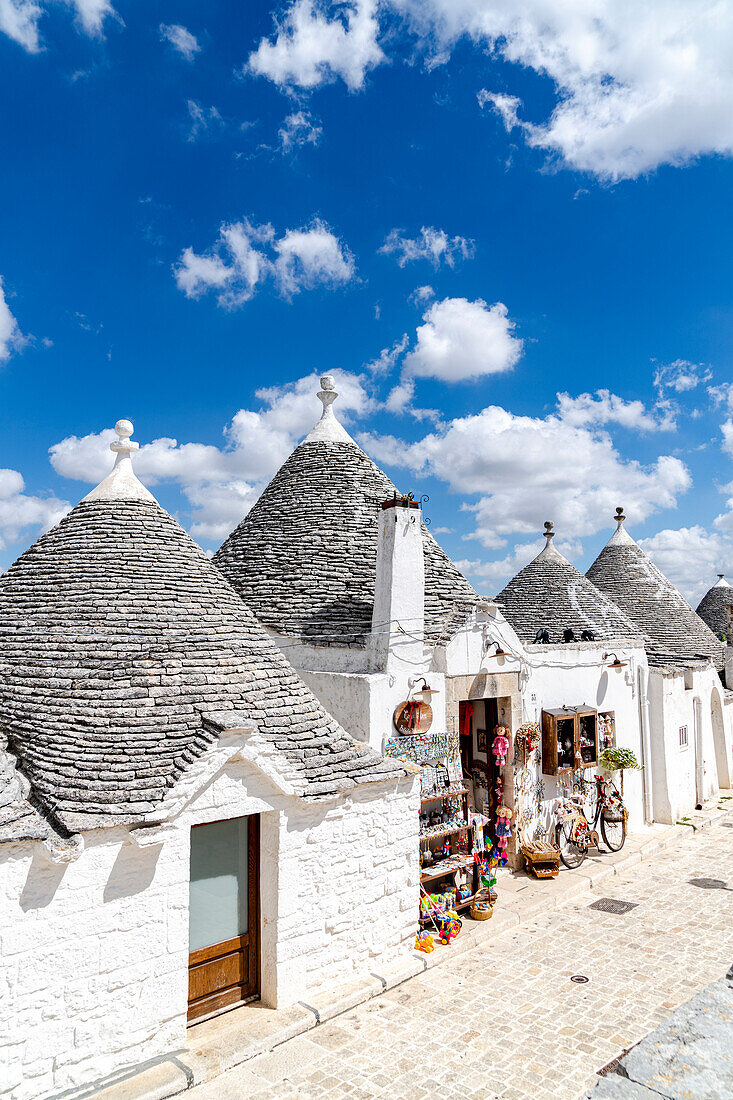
[[637, 86]]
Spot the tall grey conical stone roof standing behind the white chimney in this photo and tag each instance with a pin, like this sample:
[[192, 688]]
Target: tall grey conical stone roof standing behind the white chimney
[[304, 559]]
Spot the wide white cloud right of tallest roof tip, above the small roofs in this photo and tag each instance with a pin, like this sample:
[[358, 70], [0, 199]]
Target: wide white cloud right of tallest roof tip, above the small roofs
[[526, 470]]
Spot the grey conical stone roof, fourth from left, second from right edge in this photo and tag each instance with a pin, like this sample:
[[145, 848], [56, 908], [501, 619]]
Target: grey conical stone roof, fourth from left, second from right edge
[[631, 579]]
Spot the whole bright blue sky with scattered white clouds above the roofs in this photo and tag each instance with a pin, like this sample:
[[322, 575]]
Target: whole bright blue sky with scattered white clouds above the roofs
[[461, 210]]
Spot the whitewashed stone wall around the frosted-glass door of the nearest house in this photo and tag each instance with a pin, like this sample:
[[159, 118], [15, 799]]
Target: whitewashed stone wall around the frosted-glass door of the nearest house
[[95, 954]]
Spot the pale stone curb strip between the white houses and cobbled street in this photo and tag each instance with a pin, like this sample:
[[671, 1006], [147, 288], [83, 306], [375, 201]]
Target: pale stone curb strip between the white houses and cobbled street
[[205, 1060]]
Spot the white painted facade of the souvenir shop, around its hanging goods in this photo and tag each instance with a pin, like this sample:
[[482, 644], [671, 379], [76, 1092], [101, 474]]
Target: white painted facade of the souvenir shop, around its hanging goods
[[526, 680]]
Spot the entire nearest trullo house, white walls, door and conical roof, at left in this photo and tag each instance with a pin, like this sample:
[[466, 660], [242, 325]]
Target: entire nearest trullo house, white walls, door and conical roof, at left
[[183, 827]]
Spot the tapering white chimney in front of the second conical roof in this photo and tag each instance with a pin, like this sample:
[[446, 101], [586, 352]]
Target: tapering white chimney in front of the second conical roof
[[397, 644]]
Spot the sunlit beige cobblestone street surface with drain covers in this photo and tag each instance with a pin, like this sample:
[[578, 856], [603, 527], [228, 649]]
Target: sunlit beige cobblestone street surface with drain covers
[[505, 1020]]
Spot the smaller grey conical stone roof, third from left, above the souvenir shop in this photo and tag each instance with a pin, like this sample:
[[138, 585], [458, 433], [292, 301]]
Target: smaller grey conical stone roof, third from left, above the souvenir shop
[[551, 595]]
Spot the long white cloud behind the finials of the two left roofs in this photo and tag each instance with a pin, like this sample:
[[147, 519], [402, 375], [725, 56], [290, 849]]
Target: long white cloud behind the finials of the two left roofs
[[222, 483]]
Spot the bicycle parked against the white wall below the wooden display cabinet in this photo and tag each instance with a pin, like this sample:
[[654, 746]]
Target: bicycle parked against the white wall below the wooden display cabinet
[[576, 833]]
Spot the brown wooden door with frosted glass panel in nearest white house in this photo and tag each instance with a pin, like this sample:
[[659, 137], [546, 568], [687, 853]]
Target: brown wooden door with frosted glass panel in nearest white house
[[224, 917]]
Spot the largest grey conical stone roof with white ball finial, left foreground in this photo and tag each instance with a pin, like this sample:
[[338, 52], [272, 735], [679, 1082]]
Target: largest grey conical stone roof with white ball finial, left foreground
[[118, 637]]
